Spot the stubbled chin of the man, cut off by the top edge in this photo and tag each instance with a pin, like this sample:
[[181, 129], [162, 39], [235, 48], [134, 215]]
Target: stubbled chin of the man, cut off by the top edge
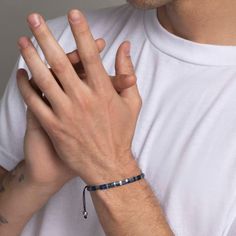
[[148, 4]]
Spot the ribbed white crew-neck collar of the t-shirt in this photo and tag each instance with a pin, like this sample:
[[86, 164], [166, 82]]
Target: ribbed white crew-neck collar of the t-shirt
[[186, 50]]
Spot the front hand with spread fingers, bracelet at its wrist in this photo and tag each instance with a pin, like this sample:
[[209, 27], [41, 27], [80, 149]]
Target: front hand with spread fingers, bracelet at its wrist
[[90, 125]]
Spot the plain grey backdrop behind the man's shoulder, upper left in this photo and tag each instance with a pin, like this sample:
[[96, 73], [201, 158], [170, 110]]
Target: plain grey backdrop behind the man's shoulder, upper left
[[13, 15]]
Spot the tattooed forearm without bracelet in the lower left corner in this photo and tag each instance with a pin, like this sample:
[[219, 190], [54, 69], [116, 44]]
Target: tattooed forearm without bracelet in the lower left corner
[[19, 200]]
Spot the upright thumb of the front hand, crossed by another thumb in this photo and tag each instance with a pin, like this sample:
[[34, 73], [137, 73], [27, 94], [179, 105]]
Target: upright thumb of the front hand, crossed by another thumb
[[124, 66]]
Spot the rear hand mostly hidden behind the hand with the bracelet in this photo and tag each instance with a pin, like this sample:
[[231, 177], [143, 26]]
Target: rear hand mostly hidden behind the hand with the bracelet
[[42, 165]]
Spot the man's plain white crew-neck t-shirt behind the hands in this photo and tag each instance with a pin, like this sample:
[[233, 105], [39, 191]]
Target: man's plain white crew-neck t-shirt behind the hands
[[185, 139]]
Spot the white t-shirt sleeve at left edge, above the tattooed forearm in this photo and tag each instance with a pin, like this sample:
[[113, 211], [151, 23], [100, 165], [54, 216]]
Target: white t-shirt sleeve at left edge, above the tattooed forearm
[[12, 124]]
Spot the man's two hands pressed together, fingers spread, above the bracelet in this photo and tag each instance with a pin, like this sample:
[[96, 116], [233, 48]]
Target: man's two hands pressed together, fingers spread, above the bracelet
[[86, 124]]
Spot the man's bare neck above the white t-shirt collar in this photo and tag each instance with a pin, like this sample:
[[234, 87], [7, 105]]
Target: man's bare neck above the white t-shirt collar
[[202, 21]]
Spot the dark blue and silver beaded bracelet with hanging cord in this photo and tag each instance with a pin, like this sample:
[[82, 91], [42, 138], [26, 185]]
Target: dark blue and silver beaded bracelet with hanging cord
[[107, 186]]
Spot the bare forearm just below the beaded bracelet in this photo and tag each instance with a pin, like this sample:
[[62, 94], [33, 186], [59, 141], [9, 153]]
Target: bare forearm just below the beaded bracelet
[[131, 209]]
